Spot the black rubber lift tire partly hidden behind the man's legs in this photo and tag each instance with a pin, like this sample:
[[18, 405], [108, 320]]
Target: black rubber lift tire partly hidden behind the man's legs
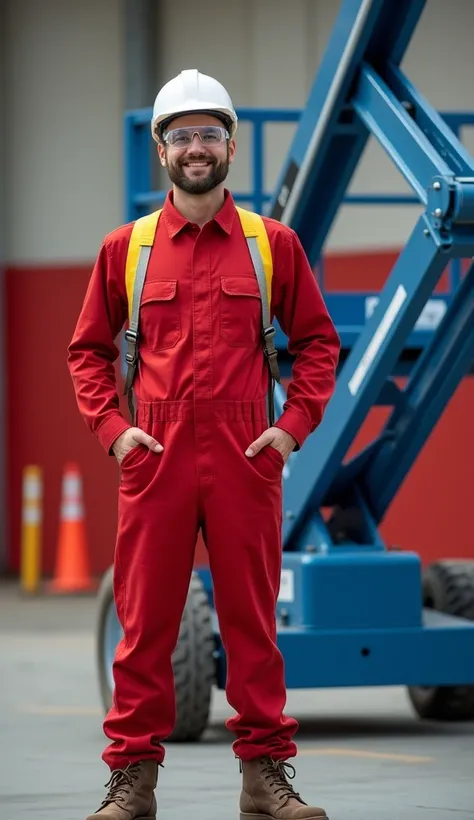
[[194, 663]]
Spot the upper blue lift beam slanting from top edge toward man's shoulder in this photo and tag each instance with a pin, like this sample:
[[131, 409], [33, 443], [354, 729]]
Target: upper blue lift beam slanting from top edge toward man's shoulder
[[330, 138]]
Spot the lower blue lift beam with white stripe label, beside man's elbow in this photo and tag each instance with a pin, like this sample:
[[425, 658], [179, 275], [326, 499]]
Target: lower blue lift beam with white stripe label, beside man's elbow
[[360, 382]]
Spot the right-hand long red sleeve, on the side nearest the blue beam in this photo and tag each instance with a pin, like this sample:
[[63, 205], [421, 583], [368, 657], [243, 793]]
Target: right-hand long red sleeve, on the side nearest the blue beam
[[312, 339]]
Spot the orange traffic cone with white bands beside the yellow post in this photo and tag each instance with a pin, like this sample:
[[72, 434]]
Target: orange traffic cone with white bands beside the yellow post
[[72, 572]]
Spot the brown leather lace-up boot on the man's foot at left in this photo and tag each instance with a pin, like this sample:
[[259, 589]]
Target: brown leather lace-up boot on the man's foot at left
[[131, 794]]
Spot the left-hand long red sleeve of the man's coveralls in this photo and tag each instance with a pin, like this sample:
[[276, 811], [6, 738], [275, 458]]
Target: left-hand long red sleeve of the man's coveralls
[[93, 352]]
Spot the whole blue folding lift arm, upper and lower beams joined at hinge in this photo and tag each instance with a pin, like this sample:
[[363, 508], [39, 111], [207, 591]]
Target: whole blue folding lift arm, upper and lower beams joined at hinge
[[360, 90]]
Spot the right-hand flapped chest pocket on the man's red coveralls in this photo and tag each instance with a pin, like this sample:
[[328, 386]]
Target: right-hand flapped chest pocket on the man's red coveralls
[[240, 311]]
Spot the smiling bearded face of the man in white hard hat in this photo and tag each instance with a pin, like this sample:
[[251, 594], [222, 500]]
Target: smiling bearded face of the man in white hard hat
[[197, 168]]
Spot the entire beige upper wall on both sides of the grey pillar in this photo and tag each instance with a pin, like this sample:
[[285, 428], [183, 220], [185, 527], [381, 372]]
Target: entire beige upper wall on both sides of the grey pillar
[[64, 105]]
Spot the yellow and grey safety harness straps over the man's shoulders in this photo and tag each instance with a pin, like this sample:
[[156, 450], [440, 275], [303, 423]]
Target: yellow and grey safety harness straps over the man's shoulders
[[138, 255]]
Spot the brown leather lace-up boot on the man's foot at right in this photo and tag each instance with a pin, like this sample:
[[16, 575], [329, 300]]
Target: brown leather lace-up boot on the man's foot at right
[[267, 795]]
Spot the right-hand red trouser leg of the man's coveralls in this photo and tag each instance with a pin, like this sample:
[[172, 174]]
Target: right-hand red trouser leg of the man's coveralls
[[243, 535]]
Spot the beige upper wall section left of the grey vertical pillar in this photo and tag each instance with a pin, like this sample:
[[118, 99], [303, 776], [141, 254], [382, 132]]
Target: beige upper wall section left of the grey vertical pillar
[[64, 180]]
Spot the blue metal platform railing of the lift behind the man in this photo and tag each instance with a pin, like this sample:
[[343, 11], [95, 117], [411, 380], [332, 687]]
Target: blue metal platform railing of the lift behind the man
[[349, 309]]
